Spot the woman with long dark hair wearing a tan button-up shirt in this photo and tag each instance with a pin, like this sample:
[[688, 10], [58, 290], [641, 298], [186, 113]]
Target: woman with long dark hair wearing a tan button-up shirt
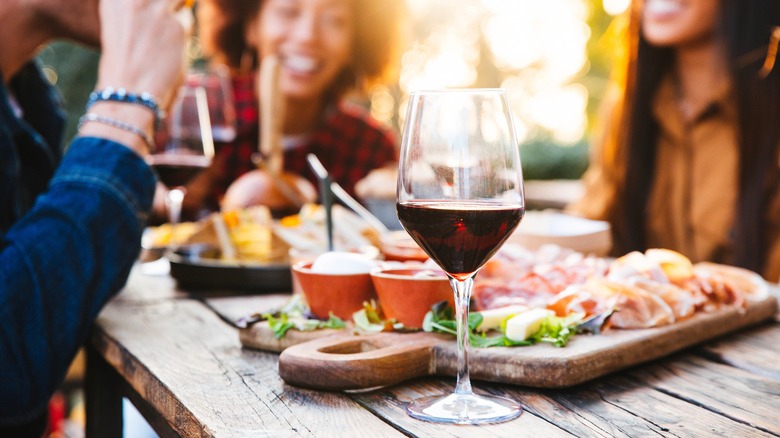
[[689, 156]]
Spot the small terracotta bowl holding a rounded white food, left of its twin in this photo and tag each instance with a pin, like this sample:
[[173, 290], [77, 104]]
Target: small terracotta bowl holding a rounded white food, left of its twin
[[342, 294]]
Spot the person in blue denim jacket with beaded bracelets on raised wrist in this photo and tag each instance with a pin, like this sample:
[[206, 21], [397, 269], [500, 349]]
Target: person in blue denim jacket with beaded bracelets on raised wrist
[[71, 221]]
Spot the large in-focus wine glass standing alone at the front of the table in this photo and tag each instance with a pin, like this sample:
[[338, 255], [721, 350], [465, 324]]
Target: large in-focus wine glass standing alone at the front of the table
[[460, 196]]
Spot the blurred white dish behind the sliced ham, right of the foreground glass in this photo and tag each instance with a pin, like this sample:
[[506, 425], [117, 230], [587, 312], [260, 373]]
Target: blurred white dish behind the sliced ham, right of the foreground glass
[[552, 227]]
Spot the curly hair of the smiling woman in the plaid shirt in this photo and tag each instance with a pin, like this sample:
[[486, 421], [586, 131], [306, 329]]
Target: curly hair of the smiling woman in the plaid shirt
[[375, 45]]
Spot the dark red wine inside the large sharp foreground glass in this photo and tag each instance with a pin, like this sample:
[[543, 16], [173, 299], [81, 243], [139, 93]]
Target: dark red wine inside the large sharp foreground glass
[[459, 236]]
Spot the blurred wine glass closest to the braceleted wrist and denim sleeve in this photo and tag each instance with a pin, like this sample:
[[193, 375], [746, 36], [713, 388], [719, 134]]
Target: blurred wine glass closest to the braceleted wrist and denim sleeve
[[187, 148]]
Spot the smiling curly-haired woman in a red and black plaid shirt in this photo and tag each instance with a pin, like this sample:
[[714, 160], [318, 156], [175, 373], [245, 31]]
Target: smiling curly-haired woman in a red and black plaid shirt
[[326, 50]]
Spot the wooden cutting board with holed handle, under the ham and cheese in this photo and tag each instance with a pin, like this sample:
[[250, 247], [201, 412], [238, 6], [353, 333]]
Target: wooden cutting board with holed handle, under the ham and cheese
[[339, 360]]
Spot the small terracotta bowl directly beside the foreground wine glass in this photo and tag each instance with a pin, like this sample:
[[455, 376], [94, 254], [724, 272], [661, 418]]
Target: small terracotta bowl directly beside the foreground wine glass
[[408, 294]]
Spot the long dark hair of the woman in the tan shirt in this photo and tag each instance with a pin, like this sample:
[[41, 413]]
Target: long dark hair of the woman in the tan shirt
[[745, 27]]
